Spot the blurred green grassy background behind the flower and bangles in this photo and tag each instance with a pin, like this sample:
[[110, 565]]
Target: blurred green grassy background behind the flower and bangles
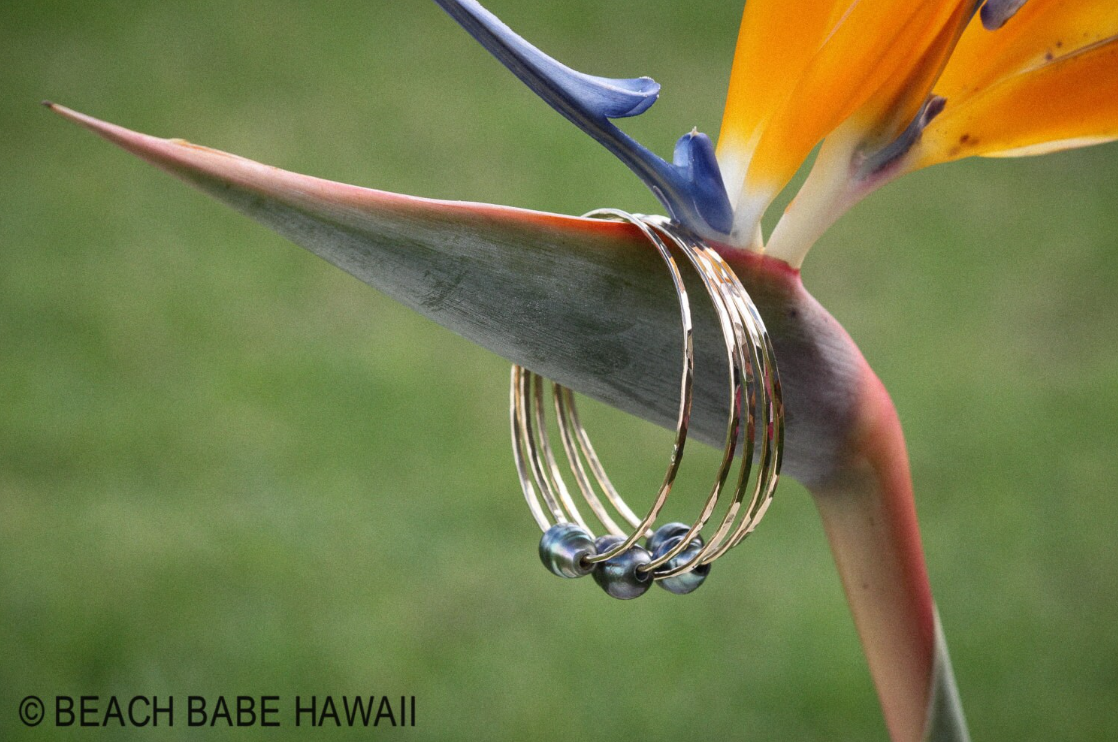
[[226, 468]]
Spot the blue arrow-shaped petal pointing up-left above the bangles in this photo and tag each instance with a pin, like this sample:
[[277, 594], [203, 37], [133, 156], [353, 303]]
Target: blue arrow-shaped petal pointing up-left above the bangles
[[690, 188]]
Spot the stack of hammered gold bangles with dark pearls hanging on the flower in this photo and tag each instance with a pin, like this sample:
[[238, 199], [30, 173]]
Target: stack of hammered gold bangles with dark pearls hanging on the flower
[[675, 555]]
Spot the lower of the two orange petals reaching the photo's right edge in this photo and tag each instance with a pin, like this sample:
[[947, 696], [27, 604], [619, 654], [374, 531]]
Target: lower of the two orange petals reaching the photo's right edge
[[1068, 102]]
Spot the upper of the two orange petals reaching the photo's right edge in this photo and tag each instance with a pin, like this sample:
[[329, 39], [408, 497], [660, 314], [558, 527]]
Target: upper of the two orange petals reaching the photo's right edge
[[1041, 32]]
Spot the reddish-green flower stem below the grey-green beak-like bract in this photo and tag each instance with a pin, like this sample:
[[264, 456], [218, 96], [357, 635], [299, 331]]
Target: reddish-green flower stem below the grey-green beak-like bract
[[869, 516]]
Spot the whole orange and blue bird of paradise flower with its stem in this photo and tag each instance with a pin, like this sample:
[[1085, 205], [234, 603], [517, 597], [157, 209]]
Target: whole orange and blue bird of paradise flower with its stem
[[888, 89]]
